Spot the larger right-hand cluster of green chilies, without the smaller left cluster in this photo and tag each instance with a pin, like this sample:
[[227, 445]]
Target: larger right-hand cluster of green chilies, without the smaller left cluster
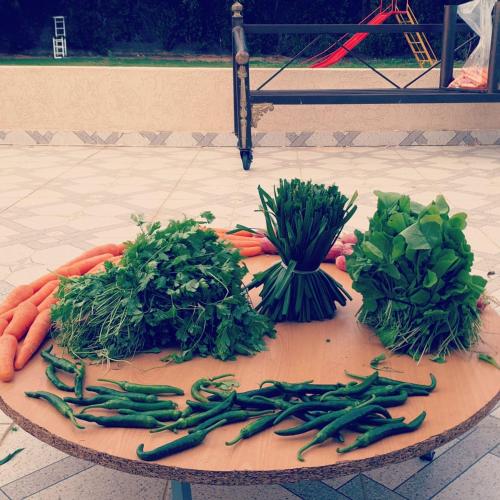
[[359, 406]]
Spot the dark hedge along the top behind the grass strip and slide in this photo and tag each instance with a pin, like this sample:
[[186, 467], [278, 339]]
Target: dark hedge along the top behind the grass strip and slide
[[192, 25]]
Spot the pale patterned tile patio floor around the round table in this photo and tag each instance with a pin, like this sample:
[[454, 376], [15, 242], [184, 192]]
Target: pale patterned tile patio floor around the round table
[[57, 201]]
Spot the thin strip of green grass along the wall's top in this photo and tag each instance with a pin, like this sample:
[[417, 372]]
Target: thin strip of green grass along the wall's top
[[188, 62]]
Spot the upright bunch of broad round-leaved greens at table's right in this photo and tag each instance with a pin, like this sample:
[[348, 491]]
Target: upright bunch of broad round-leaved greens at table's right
[[412, 268]]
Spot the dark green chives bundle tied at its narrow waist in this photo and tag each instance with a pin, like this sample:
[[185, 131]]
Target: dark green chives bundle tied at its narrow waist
[[303, 221]]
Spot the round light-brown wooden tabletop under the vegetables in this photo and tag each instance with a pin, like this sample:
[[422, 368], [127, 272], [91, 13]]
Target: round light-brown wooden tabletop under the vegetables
[[467, 390]]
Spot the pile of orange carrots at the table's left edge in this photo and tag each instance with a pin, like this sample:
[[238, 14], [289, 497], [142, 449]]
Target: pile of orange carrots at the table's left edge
[[25, 313]]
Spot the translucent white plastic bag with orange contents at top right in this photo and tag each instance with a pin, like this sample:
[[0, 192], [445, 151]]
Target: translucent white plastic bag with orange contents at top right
[[477, 14]]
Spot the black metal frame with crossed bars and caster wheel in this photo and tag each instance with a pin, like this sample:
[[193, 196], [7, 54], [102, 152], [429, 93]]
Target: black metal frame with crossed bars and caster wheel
[[250, 105]]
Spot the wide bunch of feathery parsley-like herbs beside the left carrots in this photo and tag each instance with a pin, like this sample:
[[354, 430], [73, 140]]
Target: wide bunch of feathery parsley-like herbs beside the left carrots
[[177, 286]]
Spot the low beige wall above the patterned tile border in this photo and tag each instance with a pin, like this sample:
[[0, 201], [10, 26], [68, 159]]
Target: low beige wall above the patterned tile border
[[200, 99]]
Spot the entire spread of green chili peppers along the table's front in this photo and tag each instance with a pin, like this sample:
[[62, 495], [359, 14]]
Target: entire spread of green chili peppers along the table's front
[[328, 409]]
